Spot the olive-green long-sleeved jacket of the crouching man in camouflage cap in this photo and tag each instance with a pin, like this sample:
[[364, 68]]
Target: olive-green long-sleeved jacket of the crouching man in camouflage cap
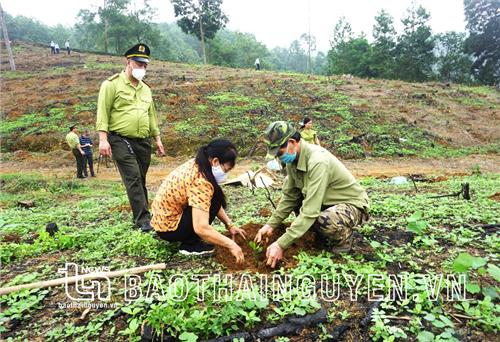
[[323, 181]]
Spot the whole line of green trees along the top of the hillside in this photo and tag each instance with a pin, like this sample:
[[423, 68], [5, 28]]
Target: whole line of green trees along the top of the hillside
[[415, 54]]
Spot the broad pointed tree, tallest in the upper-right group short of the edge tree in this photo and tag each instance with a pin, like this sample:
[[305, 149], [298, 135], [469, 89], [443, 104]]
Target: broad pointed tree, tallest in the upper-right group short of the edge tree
[[414, 51]]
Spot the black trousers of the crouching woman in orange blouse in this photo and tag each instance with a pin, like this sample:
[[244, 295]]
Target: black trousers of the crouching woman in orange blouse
[[185, 230]]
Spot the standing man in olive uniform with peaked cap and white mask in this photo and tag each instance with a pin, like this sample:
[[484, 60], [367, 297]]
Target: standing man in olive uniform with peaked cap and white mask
[[126, 120]]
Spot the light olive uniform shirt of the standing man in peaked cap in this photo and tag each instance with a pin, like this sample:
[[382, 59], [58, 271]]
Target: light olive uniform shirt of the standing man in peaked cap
[[125, 109]]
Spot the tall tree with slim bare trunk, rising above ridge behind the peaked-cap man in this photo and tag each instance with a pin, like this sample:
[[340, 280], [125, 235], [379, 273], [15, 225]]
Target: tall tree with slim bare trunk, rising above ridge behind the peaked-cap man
[[203, 18]]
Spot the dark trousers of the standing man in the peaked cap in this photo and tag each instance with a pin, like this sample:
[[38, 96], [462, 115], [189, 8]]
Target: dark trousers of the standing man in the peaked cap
[[132, 157]]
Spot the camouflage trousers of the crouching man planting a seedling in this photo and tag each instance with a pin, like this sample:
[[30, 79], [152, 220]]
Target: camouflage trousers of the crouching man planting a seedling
[[334, 225]]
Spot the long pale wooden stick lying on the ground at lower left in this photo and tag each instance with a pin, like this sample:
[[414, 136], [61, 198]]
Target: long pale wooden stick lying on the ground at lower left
[[82, 277]]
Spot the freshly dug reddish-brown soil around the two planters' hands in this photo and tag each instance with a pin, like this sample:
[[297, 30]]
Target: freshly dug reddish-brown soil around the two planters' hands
[[255, 261]]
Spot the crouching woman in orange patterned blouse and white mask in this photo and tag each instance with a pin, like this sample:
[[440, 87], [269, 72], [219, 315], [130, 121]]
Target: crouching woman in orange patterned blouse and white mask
[[190, 198]]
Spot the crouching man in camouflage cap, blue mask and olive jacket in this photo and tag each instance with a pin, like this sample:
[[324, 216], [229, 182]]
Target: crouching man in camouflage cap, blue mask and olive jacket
[[321, 191]]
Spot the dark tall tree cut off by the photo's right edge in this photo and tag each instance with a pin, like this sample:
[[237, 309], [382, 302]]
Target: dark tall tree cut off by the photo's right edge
[[483, 23]]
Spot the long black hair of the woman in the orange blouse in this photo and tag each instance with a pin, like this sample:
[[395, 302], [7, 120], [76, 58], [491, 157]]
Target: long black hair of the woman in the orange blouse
[[226, 152]]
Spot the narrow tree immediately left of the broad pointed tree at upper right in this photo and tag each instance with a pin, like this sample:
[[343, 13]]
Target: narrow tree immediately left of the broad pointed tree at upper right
[[384, 35]]
